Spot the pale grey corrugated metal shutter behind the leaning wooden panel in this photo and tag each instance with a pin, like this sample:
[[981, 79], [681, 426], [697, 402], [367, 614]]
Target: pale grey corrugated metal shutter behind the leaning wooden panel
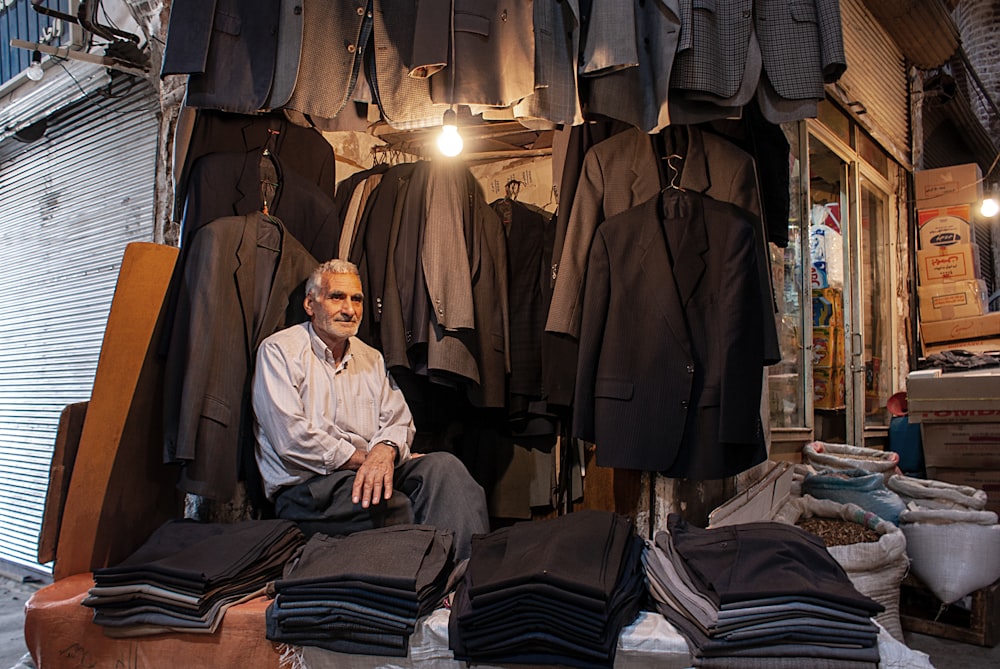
[[70, 204]]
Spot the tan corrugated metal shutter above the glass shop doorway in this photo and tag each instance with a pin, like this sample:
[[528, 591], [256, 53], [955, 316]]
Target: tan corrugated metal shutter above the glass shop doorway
[[876, 77]]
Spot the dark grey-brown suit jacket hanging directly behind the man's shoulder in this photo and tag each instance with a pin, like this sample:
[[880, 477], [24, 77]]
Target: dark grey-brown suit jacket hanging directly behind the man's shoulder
[[213, 340]]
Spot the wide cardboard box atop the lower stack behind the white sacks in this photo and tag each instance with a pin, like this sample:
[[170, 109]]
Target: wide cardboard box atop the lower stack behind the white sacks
[[960, 397]]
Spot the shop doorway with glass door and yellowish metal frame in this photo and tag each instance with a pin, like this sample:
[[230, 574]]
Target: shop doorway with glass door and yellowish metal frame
[[852, 228]]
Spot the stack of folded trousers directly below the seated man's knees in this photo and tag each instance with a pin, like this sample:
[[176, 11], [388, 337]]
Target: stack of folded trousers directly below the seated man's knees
[[364, 592]]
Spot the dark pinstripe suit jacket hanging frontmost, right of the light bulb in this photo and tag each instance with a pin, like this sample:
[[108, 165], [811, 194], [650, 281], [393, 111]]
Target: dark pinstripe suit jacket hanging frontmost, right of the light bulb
[[671, 355]]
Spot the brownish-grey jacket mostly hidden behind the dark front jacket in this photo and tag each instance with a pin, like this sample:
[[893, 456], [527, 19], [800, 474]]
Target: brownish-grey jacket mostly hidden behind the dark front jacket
[[621, 172]]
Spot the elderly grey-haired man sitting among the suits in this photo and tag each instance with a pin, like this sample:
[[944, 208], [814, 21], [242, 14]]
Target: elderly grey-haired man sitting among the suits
[[333, 429]]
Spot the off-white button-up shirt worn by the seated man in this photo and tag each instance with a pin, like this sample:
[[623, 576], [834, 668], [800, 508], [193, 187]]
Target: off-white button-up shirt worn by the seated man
[[312, 413]]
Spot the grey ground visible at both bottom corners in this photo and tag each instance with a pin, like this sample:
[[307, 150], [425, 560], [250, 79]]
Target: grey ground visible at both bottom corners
[[943, 654]]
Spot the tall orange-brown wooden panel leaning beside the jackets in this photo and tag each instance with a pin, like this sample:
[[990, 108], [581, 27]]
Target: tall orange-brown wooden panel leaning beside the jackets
[[120, 490]]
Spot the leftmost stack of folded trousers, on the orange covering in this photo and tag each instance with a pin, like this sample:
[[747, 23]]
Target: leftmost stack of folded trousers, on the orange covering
[[184, 577]]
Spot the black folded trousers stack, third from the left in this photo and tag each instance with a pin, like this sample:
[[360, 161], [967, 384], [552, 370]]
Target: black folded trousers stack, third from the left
[[549, 592]]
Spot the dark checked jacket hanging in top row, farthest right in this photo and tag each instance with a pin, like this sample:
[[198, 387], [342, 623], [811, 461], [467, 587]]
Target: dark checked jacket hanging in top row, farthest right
[[801, 45]]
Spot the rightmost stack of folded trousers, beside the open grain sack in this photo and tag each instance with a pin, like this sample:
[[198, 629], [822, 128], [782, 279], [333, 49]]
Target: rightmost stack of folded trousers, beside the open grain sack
[[760, 595]]
